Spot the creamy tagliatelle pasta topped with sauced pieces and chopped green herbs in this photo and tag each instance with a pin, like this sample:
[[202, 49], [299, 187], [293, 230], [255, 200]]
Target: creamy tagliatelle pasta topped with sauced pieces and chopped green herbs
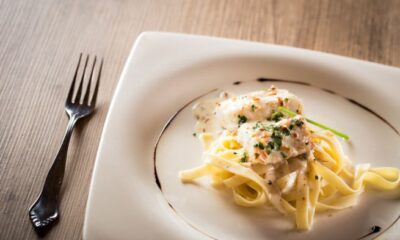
[[271, 158]]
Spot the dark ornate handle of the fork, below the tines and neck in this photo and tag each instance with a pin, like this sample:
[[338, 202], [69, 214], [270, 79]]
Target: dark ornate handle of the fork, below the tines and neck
[[45, 209]]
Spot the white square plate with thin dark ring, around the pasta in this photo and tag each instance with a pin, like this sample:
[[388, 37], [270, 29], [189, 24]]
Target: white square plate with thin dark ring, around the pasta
[[166, 71]]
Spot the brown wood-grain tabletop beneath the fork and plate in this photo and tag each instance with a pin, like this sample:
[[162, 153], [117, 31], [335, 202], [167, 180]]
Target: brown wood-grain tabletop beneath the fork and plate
[[39, 46]]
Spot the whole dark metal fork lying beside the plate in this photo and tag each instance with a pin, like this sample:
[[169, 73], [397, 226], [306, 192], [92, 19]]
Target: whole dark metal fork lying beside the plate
[[45, 209]]
